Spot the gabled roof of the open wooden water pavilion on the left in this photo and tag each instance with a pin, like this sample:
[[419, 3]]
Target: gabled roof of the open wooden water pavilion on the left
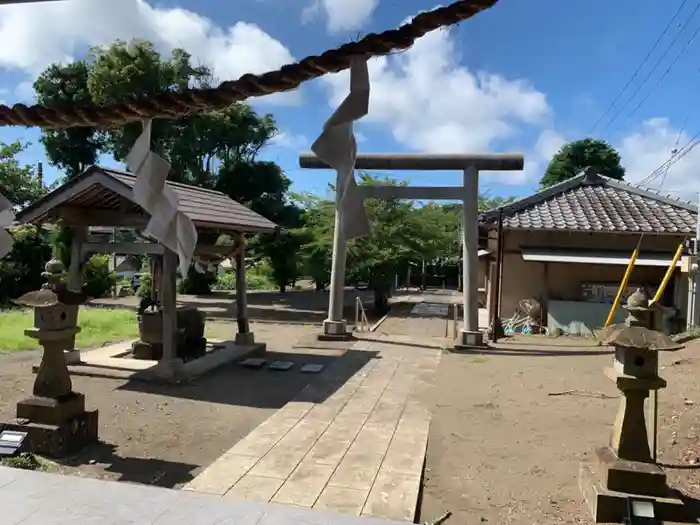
[[104, 197]]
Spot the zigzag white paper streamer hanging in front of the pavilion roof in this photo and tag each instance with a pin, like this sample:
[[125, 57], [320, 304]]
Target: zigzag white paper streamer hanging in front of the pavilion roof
[[169, 226]]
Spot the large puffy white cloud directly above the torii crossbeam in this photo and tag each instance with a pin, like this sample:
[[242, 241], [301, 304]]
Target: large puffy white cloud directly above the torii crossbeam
[[432, 104]]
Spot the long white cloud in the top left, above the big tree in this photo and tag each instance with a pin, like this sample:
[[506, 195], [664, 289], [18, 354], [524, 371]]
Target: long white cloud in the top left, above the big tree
[[34, 35]]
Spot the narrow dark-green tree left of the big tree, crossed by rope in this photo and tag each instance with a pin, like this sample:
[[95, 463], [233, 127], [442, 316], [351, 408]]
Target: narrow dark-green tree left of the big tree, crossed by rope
[[71, 150]]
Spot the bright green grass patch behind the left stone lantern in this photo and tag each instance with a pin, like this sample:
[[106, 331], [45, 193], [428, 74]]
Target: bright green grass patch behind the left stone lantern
[[98, 326]]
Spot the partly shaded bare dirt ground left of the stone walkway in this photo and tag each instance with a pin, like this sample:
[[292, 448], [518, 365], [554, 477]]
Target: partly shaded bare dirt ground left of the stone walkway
[[164, 435]]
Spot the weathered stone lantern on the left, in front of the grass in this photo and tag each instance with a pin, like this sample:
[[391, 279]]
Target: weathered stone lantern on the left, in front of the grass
[[54, 417]]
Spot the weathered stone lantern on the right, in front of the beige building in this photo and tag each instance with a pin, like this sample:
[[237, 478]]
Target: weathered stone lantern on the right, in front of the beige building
[[625, 470]]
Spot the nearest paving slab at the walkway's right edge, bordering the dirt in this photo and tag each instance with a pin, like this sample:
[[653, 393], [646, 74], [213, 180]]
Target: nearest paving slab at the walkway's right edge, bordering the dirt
[[393, 496]]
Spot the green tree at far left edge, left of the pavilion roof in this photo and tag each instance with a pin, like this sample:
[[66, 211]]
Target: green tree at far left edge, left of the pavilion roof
[[19, 184]]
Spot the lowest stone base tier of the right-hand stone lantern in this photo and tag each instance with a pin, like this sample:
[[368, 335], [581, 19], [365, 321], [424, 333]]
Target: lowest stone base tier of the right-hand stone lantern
[[609, 506]]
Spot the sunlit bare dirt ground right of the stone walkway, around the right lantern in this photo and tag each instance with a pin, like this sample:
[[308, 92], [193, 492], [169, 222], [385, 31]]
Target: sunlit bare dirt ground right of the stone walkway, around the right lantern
[[511, 425]]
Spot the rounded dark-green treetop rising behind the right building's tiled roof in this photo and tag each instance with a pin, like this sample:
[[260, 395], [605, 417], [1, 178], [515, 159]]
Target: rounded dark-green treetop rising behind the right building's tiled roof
[[576, 156]]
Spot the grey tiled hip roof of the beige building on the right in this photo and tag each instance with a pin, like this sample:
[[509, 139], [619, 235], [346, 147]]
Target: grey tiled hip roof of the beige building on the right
[[593, 203]]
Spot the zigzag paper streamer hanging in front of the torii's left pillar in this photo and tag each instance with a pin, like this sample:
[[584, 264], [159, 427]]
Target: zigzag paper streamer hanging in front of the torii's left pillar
[[338, 148]]
